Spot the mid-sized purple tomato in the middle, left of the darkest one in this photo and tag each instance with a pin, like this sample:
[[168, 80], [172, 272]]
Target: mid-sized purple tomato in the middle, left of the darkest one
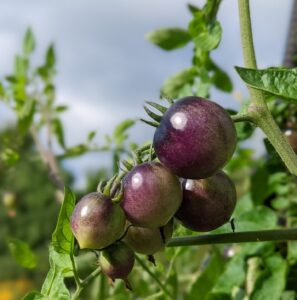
[[152, 195]]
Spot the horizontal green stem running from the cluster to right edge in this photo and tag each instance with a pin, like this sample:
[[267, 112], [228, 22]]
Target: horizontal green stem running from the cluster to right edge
[[237, 237]]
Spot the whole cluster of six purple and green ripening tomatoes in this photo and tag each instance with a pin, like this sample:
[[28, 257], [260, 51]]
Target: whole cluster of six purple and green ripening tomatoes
[[193, 141]]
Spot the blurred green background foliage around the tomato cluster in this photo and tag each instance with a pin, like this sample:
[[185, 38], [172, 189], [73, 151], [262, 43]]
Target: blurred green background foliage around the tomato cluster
[[31, 170]]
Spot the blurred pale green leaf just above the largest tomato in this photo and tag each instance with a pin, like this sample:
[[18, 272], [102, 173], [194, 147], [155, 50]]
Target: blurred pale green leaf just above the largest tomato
[[174, 84]]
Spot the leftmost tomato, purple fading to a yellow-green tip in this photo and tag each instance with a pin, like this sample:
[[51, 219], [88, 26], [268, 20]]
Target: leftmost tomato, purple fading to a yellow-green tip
[[96, 222]]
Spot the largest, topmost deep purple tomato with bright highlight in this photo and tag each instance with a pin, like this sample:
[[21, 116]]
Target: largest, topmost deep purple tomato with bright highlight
[[195, 138]]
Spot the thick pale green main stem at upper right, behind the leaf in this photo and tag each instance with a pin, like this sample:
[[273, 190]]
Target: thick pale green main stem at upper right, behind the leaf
[[258, 109]]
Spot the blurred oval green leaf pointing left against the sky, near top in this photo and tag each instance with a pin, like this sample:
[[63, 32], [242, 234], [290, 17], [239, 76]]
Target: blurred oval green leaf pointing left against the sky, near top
[[169, 38]]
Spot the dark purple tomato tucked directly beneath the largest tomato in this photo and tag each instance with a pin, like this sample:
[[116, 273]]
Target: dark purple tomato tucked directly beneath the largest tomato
[[207, 203]]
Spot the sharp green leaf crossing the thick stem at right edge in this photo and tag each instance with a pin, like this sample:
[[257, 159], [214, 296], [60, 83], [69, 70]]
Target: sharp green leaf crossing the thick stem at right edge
[[277, 81]]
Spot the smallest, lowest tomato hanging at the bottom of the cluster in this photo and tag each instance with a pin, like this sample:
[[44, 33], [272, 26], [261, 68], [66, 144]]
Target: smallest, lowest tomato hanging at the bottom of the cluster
[[117, 261]]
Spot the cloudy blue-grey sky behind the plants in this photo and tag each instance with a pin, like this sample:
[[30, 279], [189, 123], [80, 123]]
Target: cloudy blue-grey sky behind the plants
[[106, 69]]
